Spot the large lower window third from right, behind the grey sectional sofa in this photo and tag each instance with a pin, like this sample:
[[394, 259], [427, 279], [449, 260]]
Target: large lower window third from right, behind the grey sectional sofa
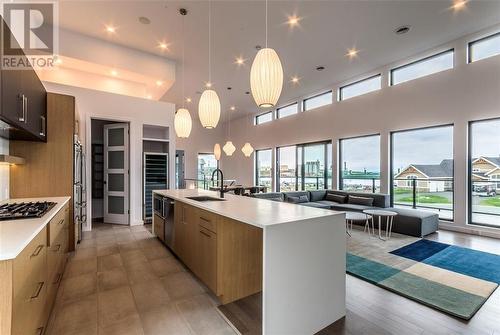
[[359, 164]]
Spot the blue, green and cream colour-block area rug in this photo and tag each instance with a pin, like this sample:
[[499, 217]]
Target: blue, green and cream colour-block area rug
[[452, 279]]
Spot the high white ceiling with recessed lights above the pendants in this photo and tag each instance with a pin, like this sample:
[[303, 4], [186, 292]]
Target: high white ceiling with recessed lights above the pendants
[[327, 29]]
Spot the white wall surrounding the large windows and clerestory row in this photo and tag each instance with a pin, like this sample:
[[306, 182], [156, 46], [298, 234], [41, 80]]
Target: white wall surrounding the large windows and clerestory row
[[467, 92]]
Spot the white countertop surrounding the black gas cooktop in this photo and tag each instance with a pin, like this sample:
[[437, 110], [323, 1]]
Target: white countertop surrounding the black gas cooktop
[[15, 235]]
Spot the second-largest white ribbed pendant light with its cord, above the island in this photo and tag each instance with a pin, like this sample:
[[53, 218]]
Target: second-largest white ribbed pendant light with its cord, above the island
[[209, 105]]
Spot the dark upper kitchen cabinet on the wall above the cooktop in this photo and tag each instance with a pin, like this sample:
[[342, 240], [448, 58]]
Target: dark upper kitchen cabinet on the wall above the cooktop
[[23, 102]]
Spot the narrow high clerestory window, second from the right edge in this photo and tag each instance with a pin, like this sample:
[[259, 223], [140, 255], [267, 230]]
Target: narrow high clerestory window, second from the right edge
[[424, 67]]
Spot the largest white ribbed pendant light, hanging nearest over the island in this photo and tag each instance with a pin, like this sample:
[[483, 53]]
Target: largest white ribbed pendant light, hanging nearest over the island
[[266, 76]]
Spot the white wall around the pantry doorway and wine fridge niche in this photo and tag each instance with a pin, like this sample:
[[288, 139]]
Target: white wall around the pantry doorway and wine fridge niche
[[100, 105]]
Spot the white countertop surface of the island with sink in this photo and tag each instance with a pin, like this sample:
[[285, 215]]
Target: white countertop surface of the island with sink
[[256, 212]]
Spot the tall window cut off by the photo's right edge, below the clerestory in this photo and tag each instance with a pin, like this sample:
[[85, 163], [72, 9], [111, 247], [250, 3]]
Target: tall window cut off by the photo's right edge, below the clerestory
[[484, 172]]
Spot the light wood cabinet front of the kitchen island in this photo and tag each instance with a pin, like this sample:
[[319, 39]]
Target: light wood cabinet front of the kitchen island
[[226, 255]]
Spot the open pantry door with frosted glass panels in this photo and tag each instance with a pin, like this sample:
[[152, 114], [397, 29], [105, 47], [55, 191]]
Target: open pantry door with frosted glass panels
[[116, 177]]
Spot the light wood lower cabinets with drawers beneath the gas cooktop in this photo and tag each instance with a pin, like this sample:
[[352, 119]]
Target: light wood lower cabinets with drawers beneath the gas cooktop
[[29, 283]]
